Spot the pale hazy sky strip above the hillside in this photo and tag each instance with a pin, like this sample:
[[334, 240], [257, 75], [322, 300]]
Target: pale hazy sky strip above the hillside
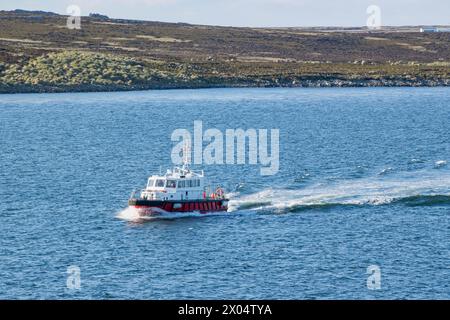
[[255, 12]]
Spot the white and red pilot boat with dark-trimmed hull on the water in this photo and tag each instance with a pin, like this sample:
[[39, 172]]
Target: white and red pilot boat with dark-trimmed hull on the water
[[179, 190]]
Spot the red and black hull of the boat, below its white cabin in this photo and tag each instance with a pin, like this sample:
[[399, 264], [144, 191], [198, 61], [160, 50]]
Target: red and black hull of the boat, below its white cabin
[[157, 207]]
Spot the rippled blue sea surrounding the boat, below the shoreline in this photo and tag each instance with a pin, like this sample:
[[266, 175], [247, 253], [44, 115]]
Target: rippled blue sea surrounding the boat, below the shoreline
[[364, 181]]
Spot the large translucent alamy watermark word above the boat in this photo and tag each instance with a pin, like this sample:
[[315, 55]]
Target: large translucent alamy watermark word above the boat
[[237, 150]]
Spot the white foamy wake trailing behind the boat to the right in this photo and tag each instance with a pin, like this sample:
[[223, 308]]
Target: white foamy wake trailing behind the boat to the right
[[377, 190]]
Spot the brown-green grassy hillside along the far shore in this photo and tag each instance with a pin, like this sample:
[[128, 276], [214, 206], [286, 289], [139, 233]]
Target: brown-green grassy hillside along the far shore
[[38, 53]]
